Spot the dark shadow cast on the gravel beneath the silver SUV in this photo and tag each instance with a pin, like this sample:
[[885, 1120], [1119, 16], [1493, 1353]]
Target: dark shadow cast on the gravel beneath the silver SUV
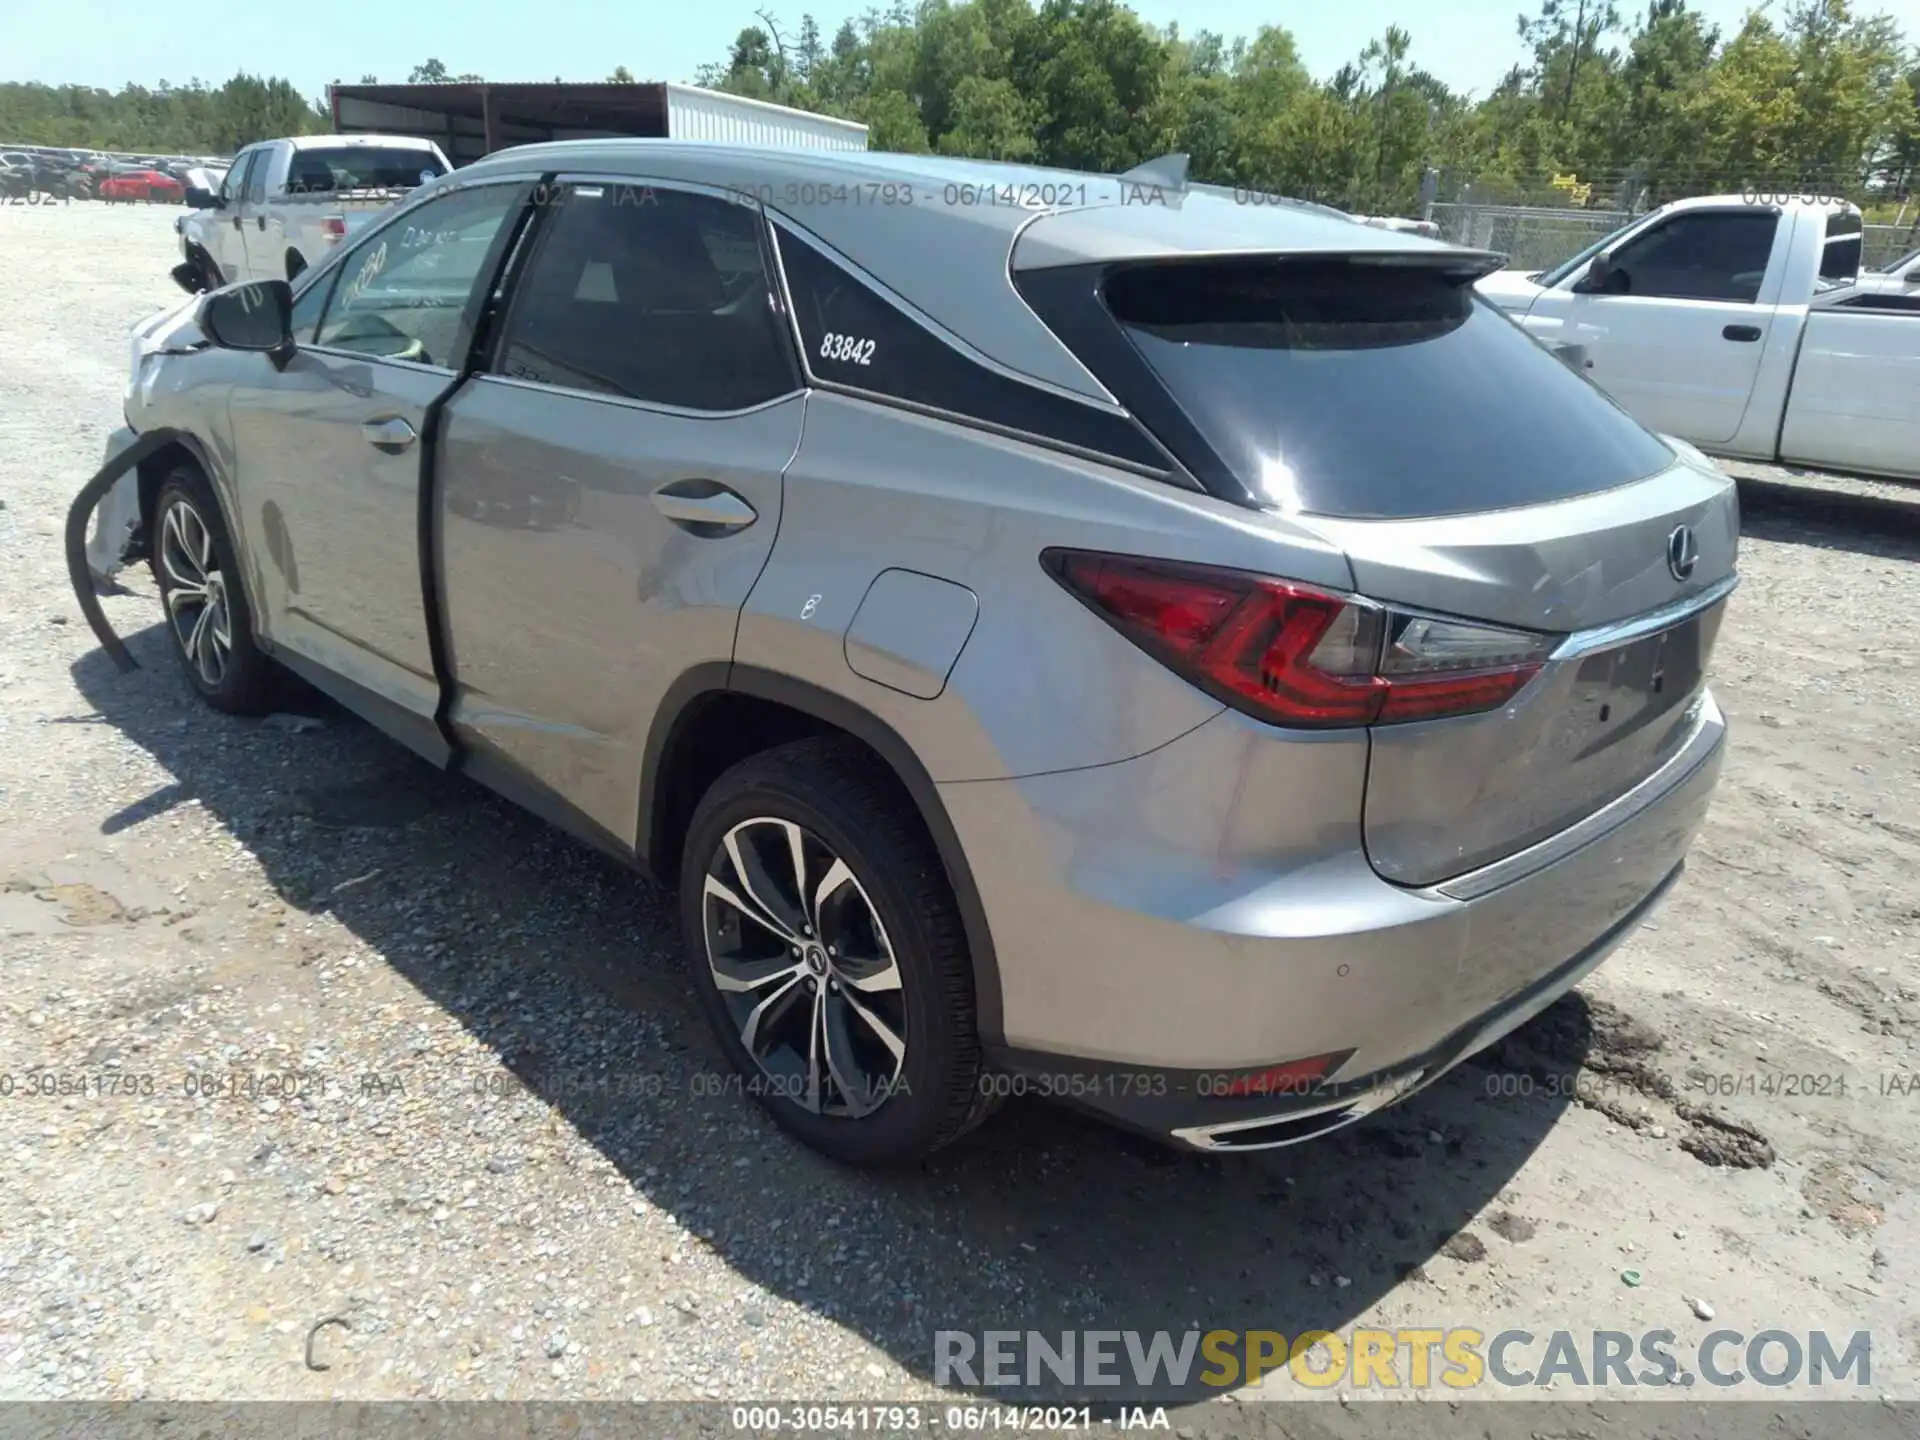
[[569, 971]]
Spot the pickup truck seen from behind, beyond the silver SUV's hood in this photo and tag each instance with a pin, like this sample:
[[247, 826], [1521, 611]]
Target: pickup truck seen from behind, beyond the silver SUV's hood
[[285, 204]]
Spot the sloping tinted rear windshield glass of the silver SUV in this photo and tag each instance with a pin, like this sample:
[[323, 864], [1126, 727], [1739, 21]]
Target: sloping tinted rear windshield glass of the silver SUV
[[1374, 391]]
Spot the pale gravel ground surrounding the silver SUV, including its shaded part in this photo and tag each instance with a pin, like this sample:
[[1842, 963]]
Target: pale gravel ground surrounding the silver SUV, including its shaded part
[[498, 1155]]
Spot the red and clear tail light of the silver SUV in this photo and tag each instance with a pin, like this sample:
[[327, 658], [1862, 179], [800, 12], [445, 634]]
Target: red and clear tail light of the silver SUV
[[1295, 656]]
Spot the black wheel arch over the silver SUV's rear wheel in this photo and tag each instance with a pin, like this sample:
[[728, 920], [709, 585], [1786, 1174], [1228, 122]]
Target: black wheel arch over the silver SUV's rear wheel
[[675, 744]]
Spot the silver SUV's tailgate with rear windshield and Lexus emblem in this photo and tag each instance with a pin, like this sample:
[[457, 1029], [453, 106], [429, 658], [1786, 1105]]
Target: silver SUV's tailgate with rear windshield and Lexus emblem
[[1464, 473]]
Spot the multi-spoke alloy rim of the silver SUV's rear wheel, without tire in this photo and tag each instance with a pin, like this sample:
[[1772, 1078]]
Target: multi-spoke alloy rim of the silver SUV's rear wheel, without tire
[[805, 969]]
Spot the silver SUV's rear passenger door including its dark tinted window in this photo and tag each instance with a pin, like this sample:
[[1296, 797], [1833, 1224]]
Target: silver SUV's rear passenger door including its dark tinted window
[[612, 489]]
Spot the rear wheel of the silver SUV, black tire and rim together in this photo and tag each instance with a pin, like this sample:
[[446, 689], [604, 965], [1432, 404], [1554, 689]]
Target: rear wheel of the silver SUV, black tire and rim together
[[830, 957]]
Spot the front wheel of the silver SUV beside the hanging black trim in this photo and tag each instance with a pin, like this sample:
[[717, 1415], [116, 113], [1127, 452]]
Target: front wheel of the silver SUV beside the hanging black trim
[[204, 600]]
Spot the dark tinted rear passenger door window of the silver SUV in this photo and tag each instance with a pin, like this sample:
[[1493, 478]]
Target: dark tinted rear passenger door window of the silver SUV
[[650, 295]]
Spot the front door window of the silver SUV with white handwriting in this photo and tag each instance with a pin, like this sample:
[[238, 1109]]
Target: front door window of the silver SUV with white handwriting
[[404, 291]]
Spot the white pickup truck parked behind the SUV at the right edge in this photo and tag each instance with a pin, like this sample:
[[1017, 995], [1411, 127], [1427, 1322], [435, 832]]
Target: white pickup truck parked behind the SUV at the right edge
[[1742, 327]]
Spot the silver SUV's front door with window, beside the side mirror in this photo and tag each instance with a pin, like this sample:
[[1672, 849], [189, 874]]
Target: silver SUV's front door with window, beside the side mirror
[[331, 452]]
